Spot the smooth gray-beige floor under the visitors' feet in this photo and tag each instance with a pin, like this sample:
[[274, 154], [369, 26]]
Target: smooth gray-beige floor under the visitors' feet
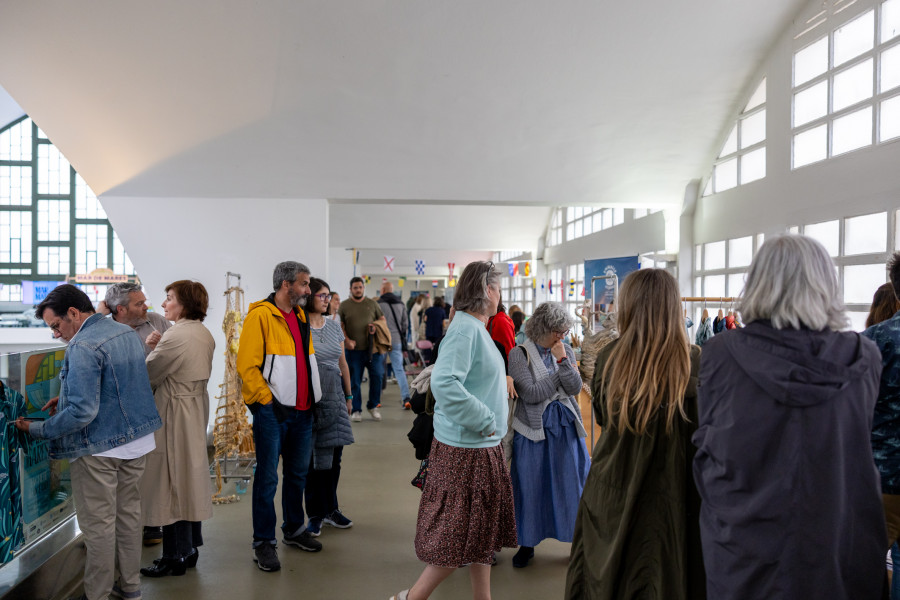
[[373, 559]]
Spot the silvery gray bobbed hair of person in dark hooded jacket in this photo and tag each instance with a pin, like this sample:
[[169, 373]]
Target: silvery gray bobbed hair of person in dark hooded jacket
[[792, 282]]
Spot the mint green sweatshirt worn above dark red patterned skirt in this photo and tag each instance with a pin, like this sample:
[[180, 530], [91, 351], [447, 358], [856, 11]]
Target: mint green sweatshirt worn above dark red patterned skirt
[[469, 387]]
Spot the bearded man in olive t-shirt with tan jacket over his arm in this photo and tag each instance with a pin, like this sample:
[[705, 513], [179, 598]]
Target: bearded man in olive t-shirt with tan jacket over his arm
[[357, 314]]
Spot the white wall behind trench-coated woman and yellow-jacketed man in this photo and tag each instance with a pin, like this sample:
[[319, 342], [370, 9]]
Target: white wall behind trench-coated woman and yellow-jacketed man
[[203, 238]]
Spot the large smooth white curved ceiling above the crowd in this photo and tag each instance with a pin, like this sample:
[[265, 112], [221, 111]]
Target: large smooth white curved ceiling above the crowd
[[519, 103]]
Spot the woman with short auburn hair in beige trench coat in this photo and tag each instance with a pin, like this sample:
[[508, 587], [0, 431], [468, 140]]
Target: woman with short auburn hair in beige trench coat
[[175, 488]]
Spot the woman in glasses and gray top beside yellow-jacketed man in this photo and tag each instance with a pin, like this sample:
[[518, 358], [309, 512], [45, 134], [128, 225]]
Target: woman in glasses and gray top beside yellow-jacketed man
[[331, 428]]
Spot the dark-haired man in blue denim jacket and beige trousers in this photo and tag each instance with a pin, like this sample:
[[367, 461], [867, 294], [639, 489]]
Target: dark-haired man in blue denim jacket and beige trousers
[[103, 422]]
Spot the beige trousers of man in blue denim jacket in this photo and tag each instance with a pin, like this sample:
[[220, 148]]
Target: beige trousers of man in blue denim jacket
[[108, 506]]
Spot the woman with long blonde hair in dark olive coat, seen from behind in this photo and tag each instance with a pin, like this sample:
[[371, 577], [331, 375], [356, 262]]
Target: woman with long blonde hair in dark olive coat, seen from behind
[[637, 533]]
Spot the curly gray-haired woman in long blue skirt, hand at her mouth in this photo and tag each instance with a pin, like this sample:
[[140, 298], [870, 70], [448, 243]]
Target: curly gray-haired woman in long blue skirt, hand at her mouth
[[549, 459]]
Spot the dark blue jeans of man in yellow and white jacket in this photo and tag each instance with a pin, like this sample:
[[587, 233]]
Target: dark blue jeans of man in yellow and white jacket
[[292, 441]]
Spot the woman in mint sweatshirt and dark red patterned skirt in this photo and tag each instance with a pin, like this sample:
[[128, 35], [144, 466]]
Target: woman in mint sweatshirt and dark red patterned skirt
[[466, 513]]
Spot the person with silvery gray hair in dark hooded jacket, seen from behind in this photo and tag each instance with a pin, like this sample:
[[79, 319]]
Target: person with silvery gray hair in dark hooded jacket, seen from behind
[[791, 505]]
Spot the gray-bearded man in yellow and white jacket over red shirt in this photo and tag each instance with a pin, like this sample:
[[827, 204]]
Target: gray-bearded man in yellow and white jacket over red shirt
[[277, 363]]
